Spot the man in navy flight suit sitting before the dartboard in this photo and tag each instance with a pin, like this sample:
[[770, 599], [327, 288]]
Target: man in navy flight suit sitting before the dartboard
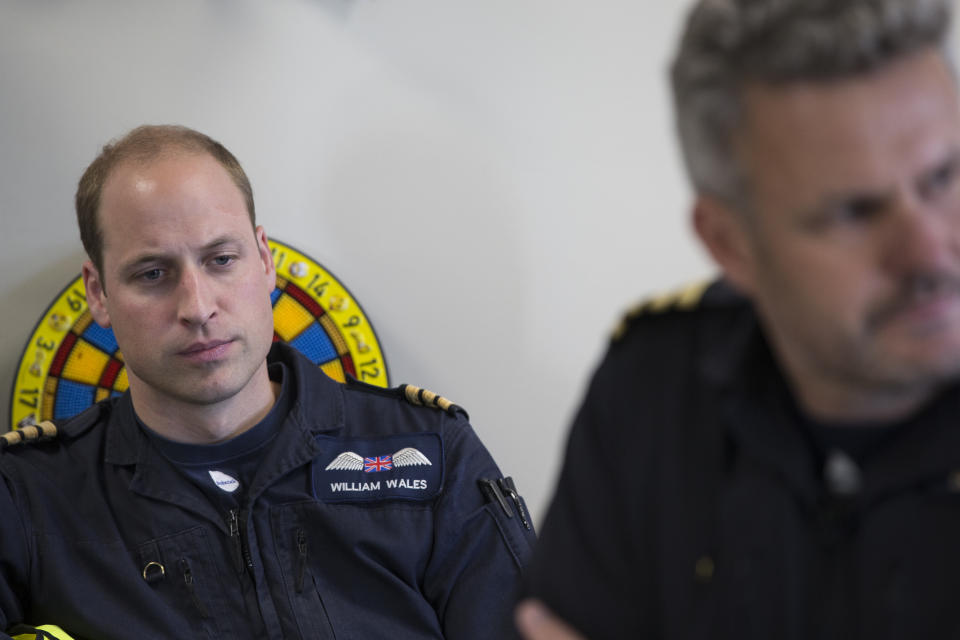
[[226, 494]]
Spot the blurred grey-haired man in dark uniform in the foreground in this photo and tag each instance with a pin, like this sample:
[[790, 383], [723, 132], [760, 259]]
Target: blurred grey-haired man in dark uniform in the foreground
[[778, 455]]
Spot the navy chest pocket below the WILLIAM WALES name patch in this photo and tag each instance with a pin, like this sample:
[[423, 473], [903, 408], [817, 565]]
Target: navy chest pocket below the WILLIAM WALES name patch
[[356, 570]]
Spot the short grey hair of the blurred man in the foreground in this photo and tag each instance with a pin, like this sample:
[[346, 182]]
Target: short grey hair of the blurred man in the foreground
[[728, 44]]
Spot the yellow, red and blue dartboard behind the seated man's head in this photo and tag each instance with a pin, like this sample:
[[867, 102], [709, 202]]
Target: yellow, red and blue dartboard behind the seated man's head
[[70, 361]]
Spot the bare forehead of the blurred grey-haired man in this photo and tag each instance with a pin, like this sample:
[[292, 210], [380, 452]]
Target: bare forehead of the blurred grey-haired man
[[804, 142]]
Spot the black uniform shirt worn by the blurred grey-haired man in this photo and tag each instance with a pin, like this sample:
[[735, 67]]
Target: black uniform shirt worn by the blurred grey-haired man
[[694, 502]]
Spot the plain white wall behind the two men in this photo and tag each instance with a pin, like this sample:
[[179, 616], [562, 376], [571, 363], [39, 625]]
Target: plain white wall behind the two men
[[495, 181]]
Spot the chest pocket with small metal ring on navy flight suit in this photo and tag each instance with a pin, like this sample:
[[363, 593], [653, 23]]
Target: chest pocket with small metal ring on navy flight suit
[[180, 570]]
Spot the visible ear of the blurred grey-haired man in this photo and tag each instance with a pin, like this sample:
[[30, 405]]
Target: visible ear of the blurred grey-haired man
[[728, 236]]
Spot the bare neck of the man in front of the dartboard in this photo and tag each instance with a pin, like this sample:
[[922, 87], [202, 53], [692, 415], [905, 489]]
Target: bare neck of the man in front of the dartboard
[[194, 423]]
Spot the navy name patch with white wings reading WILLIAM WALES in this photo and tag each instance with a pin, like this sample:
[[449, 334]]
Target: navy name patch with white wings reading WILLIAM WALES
[[405, 467]]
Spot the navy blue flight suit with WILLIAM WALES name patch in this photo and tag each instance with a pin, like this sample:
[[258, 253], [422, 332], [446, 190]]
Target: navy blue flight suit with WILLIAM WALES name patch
[[101, 535]]
